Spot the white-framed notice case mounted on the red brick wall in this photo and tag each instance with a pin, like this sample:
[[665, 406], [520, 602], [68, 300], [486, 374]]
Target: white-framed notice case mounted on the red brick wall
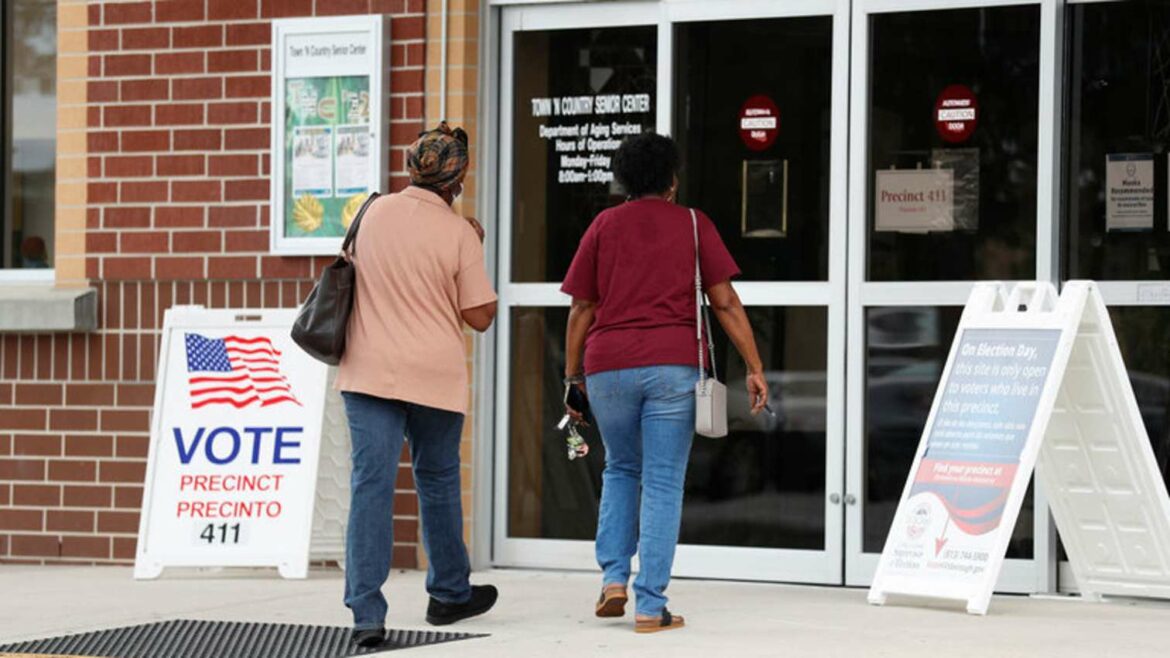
[[329, 83]]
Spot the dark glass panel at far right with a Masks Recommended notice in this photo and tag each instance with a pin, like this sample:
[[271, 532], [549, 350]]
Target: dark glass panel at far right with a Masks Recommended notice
[[1116, 225]]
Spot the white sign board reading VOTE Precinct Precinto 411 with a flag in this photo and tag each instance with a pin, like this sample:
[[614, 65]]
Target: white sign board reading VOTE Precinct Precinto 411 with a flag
[[235, 445]]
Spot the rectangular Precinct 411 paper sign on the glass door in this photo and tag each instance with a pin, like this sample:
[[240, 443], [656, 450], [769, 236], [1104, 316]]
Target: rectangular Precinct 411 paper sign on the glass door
[[914, 201]]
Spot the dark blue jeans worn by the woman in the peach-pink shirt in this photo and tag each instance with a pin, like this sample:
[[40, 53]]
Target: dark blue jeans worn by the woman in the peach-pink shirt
[[378, 428]]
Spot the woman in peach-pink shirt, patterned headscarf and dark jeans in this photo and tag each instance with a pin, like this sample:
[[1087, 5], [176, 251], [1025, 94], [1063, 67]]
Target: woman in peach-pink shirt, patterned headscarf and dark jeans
[[421, 277]]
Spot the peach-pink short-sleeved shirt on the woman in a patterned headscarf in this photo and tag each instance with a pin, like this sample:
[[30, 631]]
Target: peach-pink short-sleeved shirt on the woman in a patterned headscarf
[[418, 265]]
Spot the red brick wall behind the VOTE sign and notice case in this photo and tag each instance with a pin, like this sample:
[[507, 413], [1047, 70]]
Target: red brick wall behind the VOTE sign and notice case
[[174, 194]]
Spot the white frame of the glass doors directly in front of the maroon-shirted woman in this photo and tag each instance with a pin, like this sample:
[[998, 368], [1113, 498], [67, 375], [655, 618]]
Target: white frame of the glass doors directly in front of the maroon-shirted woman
[[701, 561]]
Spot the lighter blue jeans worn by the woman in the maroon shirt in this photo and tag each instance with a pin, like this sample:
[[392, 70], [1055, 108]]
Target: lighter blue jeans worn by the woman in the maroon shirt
[[648, 422]]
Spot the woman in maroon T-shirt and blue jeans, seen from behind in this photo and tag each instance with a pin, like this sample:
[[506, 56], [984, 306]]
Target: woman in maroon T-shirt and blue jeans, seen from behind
[[634, 316]]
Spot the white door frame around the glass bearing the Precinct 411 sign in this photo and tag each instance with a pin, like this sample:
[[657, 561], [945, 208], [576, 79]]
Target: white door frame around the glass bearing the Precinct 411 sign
[[1017, 575]]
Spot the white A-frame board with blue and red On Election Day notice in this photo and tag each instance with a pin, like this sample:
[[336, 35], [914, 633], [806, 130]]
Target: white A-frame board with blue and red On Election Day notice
[[1034, 380]]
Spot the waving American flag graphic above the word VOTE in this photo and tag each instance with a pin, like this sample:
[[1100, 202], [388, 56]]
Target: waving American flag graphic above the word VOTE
[[236, 372]]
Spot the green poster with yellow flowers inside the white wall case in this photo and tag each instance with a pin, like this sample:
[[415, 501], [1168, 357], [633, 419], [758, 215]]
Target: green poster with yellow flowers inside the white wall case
[[327, 154]]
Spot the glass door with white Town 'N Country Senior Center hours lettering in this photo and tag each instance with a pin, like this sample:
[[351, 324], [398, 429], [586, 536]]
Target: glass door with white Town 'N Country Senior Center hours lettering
[[555, 147]]
